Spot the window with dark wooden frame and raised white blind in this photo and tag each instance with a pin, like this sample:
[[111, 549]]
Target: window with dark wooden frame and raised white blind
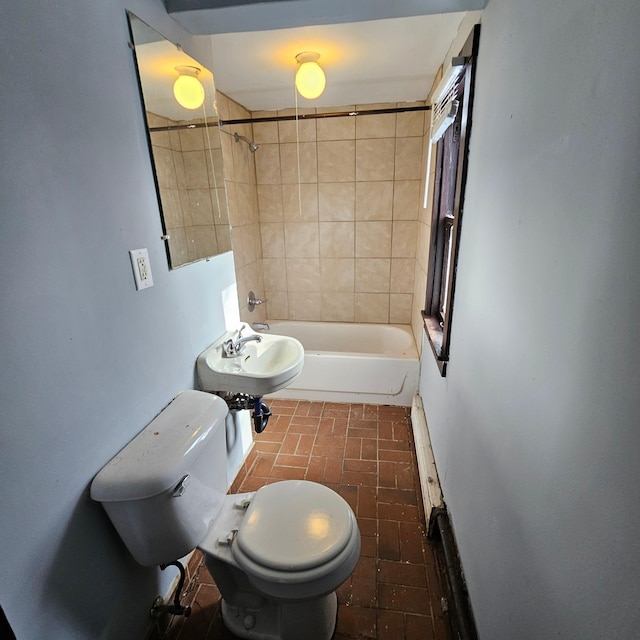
[[451, 129]]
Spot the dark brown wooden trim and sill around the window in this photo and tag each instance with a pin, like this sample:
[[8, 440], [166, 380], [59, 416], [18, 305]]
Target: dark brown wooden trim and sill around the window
[[438, 329]]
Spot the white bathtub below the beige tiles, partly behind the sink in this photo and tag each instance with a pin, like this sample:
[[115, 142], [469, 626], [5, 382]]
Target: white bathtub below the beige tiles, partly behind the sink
[[345, 362]]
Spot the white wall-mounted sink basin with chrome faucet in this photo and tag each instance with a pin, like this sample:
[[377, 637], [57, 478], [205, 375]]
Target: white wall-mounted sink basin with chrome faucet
[[261, 368]]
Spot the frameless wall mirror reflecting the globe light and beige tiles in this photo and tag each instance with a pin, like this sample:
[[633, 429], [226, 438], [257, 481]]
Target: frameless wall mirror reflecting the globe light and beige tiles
[[185, 148]]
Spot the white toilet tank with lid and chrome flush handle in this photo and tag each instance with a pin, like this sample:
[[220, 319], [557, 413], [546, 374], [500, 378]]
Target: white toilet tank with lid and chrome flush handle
[[165, 488]]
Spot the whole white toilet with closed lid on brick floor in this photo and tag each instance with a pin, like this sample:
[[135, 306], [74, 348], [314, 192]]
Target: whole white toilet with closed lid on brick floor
[[277, 555]]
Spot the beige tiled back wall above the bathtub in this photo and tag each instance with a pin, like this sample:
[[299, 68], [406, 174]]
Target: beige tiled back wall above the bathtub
[[342, 247]]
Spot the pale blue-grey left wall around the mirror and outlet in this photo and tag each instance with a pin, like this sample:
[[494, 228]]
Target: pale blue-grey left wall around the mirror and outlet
[[85, 360]]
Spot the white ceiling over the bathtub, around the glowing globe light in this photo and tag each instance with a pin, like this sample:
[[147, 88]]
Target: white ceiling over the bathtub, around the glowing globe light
[[391, 60]]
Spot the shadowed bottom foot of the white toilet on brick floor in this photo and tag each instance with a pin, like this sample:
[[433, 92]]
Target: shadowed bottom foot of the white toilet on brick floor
[[310, 619]]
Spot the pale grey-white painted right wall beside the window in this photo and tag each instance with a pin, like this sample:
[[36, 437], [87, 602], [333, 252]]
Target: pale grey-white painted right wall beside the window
[[536, 426]]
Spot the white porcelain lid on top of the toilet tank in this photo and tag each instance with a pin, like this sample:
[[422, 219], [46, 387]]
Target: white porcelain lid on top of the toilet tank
[[164, 451]]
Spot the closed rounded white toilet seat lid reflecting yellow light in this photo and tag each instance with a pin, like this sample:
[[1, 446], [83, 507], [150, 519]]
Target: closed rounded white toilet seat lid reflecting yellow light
[[295, 525]]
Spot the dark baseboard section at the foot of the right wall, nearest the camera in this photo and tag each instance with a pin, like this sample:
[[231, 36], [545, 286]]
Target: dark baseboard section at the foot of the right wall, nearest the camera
[[463, 622]]
